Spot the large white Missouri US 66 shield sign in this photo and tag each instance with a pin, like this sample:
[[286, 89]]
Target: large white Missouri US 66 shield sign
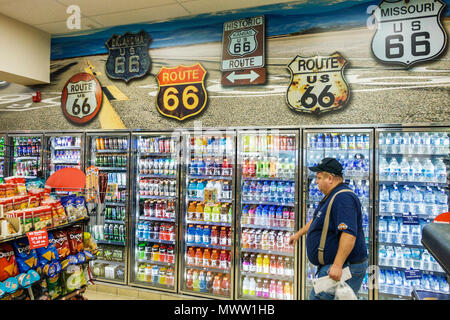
[[409, 32]]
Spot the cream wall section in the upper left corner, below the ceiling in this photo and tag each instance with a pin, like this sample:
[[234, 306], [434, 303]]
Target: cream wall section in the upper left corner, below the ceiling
[[24, 53]]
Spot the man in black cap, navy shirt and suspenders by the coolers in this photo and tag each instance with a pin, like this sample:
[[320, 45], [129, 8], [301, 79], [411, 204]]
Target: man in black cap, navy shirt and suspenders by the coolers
[[345, 244]]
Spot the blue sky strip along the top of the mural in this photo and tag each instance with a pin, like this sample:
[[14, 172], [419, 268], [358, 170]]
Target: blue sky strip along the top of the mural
[[281, 19]]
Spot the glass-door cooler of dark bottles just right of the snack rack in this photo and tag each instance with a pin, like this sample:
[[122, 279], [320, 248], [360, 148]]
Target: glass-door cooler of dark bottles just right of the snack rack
[[109, 152]]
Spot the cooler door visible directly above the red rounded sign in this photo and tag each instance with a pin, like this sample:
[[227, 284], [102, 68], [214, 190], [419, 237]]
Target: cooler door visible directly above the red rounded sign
[[63, 150]]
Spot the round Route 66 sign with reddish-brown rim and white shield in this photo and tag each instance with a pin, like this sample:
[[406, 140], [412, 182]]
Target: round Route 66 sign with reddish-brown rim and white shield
[[81, 98]]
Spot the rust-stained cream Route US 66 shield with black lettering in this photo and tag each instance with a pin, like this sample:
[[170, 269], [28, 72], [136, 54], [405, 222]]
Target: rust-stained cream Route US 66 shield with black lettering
[[317, 84]]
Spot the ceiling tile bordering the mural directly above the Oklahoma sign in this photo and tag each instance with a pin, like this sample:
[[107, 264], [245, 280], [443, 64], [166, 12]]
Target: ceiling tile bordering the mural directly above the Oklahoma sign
[[142, 15]]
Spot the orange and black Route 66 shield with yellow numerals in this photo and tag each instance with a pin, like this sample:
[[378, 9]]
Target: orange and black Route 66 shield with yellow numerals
[[181, 92]]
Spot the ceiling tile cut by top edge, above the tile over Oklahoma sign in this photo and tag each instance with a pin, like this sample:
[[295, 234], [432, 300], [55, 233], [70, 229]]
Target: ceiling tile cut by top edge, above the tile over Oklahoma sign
[[100, 7]]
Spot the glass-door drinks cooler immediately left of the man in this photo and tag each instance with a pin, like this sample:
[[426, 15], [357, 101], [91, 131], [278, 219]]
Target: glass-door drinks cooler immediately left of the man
[[266, 214]]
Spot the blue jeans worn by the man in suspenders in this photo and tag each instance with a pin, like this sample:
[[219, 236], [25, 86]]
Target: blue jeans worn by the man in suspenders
[[358, 272]]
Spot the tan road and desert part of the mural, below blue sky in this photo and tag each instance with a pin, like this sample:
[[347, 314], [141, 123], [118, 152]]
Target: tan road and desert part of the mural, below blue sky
[[373, 85]]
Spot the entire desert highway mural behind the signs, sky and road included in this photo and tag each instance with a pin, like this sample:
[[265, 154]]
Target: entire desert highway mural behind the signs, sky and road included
[[380, 92]]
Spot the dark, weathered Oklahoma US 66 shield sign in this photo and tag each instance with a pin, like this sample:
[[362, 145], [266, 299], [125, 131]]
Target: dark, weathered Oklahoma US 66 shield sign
[[128, 56]]
